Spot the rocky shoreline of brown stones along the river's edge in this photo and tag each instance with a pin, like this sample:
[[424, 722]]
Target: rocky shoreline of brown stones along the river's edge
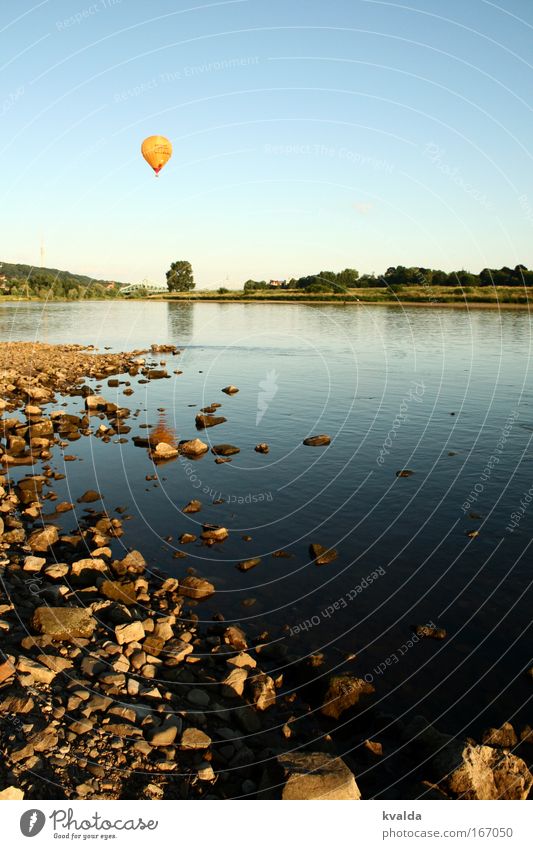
[[111, 687]]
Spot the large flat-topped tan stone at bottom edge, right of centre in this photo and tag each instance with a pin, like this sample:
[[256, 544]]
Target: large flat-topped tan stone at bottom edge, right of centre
[[316, 776]]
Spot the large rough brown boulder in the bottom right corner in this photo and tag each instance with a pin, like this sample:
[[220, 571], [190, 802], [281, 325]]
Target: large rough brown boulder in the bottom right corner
[[481, 772]]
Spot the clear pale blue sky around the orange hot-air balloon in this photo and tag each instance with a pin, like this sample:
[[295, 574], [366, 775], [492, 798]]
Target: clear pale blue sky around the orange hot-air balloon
[[308, 135]]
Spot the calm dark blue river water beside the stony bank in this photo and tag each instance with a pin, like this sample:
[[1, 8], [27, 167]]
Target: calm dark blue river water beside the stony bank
[[435, 391]]
